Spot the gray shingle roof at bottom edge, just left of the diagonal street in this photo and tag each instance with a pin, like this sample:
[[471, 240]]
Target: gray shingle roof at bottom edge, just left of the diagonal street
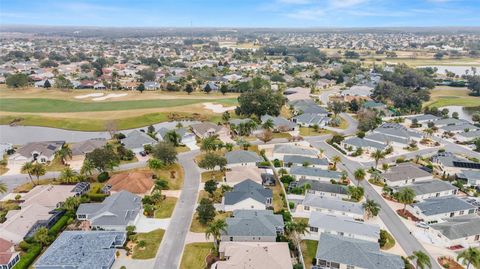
[[359, 253]]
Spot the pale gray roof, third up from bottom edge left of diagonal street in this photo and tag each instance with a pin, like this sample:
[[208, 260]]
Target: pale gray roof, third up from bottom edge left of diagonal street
[[332, 204]]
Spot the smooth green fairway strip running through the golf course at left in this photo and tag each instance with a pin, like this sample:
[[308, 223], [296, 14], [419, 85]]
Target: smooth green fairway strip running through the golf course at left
[[44, 105]]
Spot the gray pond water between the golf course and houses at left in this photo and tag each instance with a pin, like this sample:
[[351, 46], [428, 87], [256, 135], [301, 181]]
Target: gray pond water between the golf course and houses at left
[[20, 135]]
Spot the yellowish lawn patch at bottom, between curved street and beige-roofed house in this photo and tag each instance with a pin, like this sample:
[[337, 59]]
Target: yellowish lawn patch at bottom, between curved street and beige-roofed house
[[195, 254]]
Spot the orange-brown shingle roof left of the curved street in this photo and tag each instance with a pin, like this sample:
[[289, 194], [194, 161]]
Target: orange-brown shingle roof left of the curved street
[[134, 182]]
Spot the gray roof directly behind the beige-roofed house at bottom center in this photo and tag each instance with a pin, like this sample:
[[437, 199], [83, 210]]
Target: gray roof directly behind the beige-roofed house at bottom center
[[254, 223]]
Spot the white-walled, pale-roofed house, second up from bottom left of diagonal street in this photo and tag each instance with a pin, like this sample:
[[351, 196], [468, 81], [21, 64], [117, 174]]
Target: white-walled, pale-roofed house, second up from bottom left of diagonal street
[[341, 225]]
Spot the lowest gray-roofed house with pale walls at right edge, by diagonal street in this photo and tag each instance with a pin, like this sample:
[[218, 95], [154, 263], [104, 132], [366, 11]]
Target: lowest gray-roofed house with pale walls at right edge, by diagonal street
[[461, 230]]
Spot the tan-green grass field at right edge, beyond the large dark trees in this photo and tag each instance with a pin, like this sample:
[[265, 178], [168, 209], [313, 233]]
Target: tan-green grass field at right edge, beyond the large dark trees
[[449, 96]]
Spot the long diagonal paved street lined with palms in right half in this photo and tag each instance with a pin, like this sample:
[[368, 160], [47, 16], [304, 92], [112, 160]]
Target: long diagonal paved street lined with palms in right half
[[400, 232]]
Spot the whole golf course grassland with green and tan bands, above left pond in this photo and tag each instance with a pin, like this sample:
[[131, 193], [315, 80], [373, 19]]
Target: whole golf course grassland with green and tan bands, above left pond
[[60, 109]]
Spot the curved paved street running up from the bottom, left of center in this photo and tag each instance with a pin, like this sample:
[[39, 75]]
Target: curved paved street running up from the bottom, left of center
[[171, 249]]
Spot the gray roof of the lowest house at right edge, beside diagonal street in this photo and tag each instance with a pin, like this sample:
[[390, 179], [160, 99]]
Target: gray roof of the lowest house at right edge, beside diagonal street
[[459, 227]]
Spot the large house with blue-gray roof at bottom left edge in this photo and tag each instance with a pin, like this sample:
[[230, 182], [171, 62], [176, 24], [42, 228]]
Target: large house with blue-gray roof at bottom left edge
[[79, 249]]
